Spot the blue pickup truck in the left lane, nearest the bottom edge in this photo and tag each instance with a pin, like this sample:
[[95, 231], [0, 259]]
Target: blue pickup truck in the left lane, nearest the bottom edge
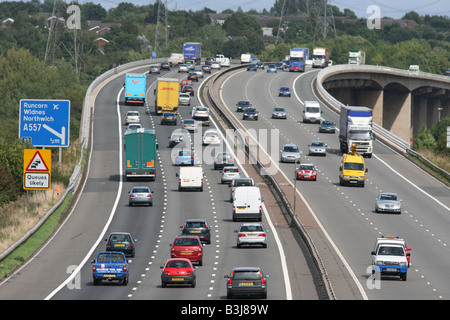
[[110, 266]]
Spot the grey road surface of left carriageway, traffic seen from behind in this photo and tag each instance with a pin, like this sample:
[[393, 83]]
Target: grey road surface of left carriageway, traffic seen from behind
[[63, 264]]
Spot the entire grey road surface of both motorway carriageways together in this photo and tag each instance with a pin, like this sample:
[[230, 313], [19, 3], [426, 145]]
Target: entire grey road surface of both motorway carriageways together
[[345, 214]]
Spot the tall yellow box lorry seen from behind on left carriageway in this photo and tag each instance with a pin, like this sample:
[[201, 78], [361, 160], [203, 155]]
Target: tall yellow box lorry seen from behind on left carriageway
[[166, 95]]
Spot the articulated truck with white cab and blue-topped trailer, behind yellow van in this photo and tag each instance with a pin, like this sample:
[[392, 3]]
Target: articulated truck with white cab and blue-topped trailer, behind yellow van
[[355, 127]]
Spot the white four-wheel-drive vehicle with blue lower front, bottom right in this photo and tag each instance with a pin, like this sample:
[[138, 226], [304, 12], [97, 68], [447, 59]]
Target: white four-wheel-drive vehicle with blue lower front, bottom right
[[390, 256]]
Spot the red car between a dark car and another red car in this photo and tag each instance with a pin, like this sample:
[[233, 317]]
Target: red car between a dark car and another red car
[[188, 247]]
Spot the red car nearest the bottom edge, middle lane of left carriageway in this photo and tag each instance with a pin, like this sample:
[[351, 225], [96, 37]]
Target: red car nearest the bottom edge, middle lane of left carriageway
[[178, 271]]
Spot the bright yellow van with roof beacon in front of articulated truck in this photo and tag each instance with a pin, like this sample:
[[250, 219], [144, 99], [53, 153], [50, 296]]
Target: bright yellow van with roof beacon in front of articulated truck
[[352, 170]]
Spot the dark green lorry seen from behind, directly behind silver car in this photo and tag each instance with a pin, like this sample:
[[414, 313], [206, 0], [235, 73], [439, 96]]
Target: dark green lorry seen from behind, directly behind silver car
[[140, 154]]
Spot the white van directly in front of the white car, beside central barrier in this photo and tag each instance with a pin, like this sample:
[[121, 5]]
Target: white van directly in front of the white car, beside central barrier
[[247, 203]]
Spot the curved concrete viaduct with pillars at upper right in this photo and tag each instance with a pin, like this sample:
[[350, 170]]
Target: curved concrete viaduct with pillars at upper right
[[402, 102]]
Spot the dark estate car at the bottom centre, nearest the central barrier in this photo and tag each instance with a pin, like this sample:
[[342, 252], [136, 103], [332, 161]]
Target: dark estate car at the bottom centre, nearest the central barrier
[[247, 281]]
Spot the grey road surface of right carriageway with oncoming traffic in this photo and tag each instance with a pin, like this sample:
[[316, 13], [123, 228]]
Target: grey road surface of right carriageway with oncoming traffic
[[347, 213]]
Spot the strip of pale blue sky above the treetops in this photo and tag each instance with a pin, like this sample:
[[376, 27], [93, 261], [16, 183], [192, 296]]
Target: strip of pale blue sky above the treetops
[[391, 8]]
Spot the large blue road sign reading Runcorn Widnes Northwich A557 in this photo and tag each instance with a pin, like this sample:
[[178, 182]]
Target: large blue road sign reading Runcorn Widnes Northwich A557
[[45, 123]]
